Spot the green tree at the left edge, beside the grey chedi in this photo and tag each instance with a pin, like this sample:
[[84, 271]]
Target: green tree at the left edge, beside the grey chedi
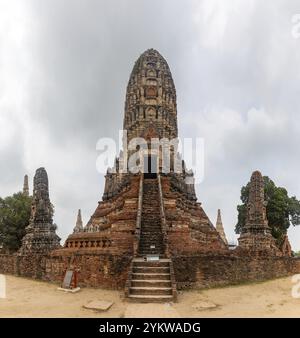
[[14, 217]]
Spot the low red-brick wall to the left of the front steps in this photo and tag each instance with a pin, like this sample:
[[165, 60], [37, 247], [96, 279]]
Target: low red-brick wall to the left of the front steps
[[95, 270]]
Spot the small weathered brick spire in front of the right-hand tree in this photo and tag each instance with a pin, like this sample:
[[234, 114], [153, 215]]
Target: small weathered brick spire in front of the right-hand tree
[[256, 233]]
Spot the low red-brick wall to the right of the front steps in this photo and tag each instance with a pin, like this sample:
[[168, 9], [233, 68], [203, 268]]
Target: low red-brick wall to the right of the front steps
[[217, 270]]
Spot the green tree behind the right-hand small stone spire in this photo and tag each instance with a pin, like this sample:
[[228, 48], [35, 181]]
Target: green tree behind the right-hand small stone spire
[[282, 210]]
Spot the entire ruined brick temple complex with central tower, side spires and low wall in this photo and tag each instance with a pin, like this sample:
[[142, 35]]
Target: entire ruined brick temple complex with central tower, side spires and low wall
[[148, 232]]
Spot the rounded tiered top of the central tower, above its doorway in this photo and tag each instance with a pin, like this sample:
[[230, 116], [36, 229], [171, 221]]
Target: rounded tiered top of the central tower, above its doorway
[[151, 98]]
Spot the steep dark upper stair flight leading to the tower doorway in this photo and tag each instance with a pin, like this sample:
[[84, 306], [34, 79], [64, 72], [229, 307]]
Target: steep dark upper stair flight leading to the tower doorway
[[151, 237]]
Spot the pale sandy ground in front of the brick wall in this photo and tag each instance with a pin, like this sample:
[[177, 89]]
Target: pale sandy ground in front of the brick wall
[[29, 298]]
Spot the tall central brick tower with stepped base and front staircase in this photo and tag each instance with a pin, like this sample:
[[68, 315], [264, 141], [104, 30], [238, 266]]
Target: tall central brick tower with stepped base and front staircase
[[152, 210]]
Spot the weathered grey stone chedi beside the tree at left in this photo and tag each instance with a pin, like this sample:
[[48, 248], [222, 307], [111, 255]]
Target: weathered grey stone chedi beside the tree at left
[[40, 234]]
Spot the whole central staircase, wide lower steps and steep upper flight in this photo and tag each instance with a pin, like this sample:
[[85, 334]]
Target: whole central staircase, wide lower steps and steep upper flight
[[151, 280]]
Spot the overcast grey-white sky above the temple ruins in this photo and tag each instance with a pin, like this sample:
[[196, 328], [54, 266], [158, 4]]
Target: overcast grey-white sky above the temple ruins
[[64, 67]]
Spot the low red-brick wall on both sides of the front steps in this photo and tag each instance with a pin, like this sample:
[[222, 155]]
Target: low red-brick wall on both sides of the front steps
[[110, 271]]
